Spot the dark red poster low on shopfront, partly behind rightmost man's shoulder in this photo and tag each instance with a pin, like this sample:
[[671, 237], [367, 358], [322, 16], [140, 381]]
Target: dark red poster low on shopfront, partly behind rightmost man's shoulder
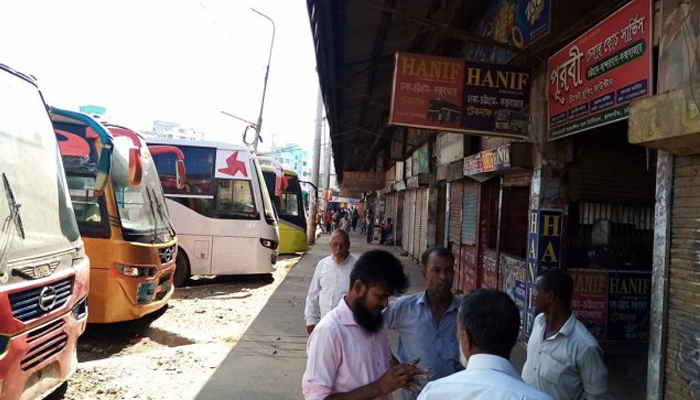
[[590, 300]]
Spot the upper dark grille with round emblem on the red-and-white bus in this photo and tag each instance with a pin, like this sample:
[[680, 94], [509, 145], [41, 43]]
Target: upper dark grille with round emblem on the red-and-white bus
[[40, 300]]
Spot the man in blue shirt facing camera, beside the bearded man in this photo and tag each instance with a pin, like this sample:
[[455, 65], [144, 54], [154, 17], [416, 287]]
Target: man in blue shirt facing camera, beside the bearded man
[[427, 321]]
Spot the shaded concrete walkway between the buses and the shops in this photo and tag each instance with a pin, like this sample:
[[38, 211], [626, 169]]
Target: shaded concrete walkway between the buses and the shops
[[269, 360]]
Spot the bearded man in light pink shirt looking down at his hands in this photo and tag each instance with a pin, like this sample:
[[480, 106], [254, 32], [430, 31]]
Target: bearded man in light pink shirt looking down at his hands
[[348, 353]]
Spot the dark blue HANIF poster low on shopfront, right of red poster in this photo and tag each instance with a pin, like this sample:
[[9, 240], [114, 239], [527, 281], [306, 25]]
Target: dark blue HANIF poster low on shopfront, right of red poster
[[629, 297]]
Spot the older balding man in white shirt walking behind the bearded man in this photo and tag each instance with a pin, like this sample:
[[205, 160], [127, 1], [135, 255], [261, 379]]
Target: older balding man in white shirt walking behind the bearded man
[[331, 280]]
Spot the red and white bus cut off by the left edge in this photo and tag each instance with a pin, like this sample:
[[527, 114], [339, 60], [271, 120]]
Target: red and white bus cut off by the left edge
[[44, 272]]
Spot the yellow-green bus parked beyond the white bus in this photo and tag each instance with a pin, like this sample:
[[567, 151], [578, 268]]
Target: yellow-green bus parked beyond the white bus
[[285, 190]]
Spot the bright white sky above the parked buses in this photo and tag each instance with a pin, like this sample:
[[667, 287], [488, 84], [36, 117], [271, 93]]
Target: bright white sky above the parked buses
[[176, 60]]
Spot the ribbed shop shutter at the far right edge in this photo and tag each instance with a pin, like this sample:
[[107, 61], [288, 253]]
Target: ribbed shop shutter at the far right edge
[[684, 287]]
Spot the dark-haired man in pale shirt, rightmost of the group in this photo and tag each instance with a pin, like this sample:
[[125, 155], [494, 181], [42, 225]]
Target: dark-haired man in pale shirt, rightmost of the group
[[563, 358]]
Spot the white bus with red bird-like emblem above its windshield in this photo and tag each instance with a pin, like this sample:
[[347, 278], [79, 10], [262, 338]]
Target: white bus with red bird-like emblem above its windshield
[[224, 217]]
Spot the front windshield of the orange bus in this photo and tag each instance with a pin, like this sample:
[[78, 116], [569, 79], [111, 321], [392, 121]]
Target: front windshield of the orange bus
[[142, 210]]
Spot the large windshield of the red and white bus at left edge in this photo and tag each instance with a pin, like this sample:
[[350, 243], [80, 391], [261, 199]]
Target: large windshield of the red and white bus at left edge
[[34, 206]]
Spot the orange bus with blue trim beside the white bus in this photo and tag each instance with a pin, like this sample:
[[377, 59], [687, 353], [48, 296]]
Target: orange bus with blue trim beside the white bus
[[126, 227]]
